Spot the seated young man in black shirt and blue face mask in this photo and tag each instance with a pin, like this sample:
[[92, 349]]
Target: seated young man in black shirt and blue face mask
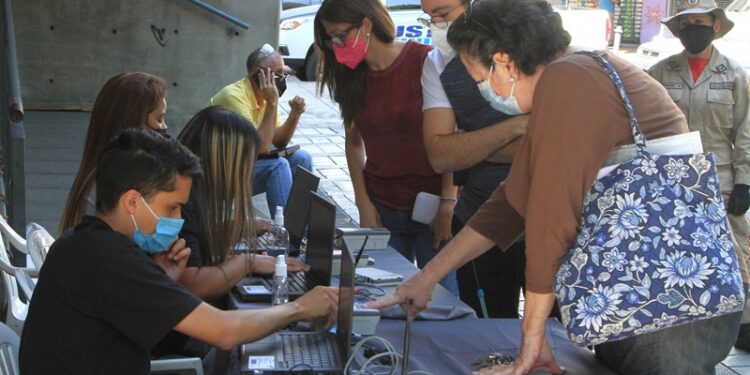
[[101, 302]]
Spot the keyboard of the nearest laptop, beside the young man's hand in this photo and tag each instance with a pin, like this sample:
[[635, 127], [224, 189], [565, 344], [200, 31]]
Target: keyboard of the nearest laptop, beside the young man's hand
[[314, 350]]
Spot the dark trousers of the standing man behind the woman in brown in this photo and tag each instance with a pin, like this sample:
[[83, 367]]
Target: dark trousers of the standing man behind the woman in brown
[[500, 274]]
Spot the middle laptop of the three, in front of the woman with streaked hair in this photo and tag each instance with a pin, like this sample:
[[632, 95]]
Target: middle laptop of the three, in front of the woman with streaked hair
[[319, 257]]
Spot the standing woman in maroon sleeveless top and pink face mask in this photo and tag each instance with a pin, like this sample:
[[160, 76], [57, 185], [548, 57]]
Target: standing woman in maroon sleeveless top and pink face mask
[[376, 82]]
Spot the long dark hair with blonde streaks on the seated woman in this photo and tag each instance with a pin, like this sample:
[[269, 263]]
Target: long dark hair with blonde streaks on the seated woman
[[227, 145]]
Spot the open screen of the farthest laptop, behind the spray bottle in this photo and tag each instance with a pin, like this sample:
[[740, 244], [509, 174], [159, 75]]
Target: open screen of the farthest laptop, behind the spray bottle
[[298, 205]]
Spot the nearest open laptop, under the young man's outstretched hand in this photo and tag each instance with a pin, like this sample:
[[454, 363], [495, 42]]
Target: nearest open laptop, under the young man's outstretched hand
[[319, 352]]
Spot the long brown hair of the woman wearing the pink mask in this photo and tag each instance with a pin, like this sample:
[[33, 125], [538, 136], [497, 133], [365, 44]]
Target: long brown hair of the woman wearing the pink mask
[[347, 86]]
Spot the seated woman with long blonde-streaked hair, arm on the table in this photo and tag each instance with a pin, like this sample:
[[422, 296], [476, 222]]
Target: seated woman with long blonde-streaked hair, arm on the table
[[219, 214]]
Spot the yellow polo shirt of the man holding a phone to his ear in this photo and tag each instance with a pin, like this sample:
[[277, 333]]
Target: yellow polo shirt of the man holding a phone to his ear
[[239, 97]]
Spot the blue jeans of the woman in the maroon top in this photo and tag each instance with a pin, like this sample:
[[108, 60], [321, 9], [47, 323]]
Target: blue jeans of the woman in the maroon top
[[412, 240]]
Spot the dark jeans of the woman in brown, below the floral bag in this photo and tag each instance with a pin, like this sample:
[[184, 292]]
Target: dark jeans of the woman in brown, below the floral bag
[[692, 348]]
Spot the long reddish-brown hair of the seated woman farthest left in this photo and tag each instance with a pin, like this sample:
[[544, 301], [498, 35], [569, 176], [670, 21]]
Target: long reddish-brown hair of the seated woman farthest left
[[124, 102]]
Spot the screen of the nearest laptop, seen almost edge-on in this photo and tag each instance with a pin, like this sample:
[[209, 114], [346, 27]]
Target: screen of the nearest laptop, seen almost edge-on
[[346, 302]]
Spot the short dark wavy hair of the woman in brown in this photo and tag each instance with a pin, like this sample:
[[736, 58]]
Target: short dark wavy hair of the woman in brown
[[530, 31]]
